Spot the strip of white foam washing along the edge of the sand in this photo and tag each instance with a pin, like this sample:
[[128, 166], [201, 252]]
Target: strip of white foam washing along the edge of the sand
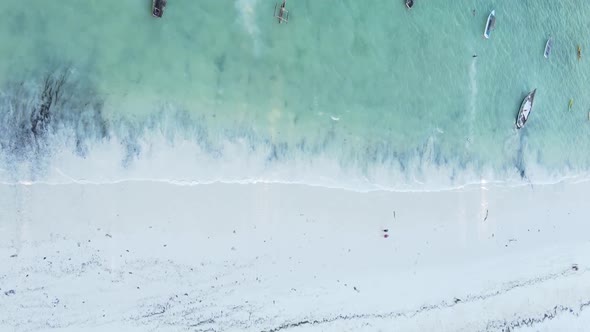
[[183, 162]]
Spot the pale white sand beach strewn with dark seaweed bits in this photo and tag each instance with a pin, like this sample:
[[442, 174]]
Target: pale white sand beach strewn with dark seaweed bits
[[261, 257]]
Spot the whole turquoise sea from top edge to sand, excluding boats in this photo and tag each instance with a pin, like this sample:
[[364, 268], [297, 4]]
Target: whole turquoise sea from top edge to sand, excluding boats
[[372, 95]]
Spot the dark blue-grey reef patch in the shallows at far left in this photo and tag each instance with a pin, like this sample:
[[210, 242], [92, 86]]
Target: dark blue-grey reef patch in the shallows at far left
[[35, 114]]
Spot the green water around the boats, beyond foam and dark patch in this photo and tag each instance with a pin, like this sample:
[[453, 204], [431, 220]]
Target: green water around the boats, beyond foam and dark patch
[[361, 83]]
